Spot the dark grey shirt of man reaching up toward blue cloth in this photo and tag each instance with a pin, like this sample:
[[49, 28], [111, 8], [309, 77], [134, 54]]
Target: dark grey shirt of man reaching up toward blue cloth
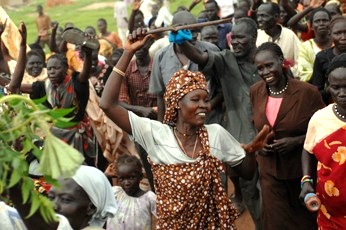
[[236, 78]]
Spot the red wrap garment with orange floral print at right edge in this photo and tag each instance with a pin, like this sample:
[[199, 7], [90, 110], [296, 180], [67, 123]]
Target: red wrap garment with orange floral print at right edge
[[330, 153]]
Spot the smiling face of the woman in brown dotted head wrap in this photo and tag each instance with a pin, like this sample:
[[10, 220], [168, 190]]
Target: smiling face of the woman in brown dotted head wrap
[[194, 107]]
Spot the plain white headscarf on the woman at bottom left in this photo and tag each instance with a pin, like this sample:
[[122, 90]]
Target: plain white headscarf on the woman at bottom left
[[100, 192]]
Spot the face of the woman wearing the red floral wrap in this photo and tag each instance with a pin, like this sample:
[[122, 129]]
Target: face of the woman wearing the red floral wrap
[[337, 86]]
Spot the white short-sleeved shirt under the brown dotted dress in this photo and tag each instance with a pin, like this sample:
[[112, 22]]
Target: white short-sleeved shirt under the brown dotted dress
[[162, 147]]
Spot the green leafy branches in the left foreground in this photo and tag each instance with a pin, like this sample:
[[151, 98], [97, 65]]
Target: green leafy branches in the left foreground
[[20, 122]]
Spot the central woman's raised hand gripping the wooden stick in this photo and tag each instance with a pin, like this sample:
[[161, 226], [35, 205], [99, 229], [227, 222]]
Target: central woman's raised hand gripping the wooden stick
[[137, 39]]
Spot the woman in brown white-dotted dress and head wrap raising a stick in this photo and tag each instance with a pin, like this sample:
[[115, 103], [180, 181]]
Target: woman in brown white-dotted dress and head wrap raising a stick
[[185, 154]]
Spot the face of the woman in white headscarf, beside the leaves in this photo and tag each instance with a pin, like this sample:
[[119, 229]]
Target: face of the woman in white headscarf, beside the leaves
[[72, 202]]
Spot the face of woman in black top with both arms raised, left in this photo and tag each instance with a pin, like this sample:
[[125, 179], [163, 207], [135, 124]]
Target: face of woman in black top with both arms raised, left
[[56, 71]]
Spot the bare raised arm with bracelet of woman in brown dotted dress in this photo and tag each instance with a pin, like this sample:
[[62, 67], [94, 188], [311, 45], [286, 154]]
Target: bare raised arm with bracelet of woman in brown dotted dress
[[109, 102]]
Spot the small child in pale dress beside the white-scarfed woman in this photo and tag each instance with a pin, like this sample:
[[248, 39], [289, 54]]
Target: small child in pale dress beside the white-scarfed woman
[[135, 206]]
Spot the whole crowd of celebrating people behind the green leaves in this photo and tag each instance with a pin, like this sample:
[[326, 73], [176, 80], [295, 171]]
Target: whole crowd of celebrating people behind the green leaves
[[166, 119]]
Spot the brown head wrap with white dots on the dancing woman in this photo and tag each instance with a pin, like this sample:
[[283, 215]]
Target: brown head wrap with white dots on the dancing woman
[[181, 83]]
